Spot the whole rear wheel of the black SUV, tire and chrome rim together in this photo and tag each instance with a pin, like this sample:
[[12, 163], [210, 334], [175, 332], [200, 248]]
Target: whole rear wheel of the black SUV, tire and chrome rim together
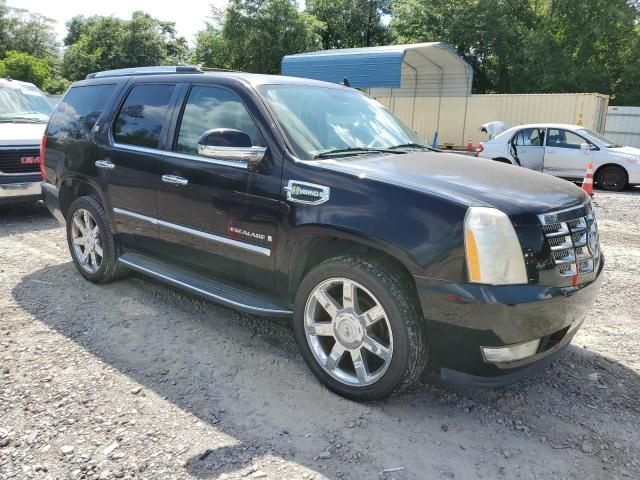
[[93, 248]]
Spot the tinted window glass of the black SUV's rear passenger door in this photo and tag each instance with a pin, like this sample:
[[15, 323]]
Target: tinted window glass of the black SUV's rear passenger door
[[142, 115]]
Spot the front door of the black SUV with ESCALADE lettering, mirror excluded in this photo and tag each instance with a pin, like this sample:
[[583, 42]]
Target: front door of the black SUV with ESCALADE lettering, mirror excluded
[[222, 220]]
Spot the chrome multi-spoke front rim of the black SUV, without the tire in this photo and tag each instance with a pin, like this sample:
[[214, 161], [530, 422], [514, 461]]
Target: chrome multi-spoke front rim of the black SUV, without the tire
[[348, 332]]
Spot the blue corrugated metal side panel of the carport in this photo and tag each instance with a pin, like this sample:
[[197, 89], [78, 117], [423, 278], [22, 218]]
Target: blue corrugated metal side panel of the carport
[[363, 67]]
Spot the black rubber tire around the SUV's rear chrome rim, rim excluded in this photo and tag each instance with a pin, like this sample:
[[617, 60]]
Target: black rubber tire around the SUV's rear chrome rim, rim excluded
[[98, 214]]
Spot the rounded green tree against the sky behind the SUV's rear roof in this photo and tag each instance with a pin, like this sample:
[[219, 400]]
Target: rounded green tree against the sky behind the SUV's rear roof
[[103, 43]]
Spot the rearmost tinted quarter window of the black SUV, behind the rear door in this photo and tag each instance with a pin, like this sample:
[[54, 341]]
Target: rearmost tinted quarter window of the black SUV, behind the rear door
[[79, 110]]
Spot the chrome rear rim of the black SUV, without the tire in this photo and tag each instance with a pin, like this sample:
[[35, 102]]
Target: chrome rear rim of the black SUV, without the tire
[[87, 244]]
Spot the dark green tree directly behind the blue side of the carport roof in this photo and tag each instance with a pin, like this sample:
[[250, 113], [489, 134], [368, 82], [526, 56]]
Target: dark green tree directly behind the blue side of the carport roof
[[351, 23]]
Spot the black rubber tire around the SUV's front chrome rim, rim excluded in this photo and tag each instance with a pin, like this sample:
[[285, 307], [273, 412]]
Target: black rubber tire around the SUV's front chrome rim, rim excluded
[[395, 373]]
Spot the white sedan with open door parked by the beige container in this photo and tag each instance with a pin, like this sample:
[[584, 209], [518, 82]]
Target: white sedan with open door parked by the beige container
[[565, 151]]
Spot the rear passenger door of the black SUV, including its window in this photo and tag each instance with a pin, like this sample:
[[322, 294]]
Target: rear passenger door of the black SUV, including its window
[[130, 170]]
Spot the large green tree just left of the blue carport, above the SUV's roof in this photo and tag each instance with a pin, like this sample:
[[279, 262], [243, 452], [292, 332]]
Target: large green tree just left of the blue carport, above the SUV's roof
[[258, 33]]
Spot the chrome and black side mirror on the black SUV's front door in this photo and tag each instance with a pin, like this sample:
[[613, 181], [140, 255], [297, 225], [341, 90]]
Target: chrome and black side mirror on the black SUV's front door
[[230, 145]]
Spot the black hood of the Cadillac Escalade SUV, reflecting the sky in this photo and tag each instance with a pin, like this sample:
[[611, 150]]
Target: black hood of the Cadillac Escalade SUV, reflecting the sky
[[519, 192]]
